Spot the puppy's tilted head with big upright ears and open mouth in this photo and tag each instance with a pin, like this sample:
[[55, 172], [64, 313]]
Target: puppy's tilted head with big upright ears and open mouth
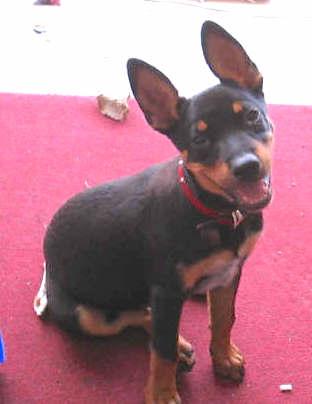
[[223, 133]]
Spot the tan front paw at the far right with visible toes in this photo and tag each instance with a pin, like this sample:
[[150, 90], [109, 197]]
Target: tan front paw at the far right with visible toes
[[228, 363]]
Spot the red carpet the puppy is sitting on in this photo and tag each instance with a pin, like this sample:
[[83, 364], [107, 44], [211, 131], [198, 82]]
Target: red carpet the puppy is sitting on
[[50, 146]]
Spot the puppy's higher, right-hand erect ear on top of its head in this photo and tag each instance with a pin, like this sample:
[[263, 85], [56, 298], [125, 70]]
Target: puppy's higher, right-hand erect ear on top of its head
[[227, 58]]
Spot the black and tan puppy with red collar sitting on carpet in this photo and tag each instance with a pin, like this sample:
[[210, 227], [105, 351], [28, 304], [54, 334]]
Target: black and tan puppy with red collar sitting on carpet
[[130, 252]]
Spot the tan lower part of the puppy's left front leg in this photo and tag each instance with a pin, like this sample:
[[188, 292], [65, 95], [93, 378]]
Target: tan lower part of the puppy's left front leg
[[161, 387]]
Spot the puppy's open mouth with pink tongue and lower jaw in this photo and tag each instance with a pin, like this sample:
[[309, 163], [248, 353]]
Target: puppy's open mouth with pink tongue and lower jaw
[[247, 196]]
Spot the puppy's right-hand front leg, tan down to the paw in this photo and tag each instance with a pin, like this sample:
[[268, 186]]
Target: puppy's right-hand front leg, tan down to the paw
[[227, 360]]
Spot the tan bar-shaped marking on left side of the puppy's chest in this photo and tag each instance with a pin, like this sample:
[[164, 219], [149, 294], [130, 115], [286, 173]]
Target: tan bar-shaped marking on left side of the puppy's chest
[[206, 266]]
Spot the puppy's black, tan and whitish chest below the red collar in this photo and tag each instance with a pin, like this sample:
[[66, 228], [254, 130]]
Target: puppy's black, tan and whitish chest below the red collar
[[220, 264]]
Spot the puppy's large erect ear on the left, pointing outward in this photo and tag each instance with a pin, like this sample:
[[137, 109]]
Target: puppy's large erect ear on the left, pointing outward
[[155, 94]]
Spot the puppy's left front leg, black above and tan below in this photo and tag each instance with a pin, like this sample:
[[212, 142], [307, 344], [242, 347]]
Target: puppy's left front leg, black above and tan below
[[166, 310]]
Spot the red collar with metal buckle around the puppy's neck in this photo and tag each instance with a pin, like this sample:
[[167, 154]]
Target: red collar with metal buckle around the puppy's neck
[[232, 220]]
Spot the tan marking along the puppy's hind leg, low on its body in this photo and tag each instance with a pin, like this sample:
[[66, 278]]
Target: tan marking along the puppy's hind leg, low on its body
[[93, 321]]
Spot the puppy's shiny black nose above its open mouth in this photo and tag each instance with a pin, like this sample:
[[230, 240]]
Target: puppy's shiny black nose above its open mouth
[[247, 167]]
